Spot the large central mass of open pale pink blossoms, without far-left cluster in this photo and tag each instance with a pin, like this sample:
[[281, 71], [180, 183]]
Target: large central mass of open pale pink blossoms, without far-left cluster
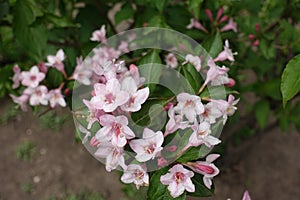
[[120, 91]]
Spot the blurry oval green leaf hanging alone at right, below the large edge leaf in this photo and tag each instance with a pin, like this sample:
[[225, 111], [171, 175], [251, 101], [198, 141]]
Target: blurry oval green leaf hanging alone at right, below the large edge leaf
[[262, 111]]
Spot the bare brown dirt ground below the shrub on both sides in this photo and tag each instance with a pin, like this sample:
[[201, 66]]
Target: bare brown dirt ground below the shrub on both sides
[[268, 166]]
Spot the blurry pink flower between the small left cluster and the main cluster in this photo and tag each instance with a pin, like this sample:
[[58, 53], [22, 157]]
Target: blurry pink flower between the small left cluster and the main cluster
[[82, 74]]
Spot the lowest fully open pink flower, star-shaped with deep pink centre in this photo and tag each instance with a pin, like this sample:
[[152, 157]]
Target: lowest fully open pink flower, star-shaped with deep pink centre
[[178, 180]]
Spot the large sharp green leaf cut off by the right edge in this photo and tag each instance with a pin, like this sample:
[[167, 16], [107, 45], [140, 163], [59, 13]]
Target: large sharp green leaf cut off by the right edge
[[290, 80]]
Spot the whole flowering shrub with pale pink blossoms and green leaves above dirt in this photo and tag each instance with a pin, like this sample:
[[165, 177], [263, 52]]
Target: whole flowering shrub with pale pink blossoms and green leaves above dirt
[[153, 113]]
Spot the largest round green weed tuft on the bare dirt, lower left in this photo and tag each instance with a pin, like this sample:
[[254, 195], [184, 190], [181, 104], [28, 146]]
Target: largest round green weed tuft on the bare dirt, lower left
[[25, 151]]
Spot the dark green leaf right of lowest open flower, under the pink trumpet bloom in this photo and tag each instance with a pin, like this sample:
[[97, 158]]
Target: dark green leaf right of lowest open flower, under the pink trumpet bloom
[[200, 189]]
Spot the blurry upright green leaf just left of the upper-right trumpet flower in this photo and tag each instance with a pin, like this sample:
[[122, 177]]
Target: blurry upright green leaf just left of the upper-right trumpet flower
[[213, 45]]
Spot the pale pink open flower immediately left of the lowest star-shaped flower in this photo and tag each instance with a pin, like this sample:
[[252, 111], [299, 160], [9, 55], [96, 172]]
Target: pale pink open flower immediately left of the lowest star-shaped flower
[[136, 174]]
